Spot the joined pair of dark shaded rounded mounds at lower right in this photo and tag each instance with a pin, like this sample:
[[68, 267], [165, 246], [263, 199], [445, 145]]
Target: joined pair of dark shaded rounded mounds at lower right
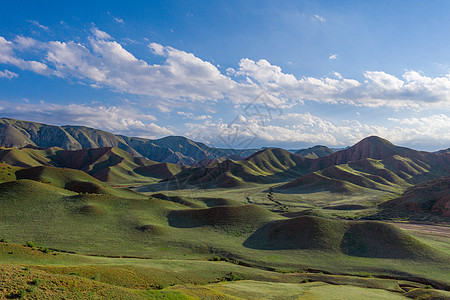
[[363, 239]]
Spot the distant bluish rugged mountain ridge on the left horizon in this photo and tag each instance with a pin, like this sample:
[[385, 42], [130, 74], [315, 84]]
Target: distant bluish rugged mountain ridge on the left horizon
[[171, 149]]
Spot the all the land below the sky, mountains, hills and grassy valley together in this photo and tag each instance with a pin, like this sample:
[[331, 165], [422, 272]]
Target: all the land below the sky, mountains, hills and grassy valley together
[[103, 220]]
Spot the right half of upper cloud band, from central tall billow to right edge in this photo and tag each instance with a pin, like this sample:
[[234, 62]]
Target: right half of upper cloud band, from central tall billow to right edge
[[379, 88]]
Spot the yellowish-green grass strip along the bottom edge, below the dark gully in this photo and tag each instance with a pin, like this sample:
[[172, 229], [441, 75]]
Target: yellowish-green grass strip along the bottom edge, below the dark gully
[[31, 272]]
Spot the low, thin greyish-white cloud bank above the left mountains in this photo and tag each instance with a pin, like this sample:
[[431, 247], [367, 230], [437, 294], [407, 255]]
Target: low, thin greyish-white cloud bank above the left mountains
[[115, 119]]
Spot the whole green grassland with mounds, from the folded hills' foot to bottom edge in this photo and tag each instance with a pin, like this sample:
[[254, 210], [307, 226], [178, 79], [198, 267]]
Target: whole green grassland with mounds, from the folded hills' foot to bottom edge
[[150, 242]]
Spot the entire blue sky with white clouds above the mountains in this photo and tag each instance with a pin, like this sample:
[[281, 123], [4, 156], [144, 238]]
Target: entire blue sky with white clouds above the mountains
[[234, 74]]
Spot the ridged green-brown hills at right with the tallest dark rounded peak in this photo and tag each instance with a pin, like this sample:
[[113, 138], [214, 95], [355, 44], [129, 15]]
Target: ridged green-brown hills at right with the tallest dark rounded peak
[[371, 163]]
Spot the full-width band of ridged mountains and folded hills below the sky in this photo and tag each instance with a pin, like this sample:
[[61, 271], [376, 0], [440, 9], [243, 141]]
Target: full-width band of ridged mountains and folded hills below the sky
[[373, 164]]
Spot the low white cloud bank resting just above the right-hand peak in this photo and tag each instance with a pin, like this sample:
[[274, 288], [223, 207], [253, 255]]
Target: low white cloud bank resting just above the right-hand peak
[[426, 133]]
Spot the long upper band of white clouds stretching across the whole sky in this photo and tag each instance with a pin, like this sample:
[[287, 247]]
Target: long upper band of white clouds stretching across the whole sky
[[101, 61]]
